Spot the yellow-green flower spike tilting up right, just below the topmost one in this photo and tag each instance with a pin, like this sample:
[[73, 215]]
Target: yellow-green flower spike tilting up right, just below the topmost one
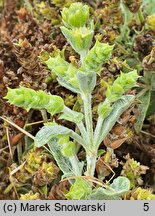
[[97, 56]]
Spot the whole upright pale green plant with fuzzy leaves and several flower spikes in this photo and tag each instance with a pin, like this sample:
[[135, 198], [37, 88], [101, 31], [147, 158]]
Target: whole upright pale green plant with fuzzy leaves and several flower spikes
[[79, 30]]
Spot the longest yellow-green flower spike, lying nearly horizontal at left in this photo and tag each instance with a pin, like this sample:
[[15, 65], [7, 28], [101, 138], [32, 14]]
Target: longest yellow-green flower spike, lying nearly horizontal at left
[[31, 99]]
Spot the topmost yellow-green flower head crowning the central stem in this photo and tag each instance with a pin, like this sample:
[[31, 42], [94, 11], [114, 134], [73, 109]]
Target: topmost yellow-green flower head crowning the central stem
[[75, 16]]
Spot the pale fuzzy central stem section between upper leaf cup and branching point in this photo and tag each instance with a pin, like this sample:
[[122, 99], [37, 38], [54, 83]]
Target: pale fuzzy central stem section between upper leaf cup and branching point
[[88, 117]]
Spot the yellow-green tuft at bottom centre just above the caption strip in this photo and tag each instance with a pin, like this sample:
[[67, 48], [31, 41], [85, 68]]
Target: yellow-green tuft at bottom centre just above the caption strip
[[79, 190]]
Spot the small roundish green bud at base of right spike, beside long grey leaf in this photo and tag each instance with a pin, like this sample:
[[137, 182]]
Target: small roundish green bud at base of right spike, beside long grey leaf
[[104, 109]]
